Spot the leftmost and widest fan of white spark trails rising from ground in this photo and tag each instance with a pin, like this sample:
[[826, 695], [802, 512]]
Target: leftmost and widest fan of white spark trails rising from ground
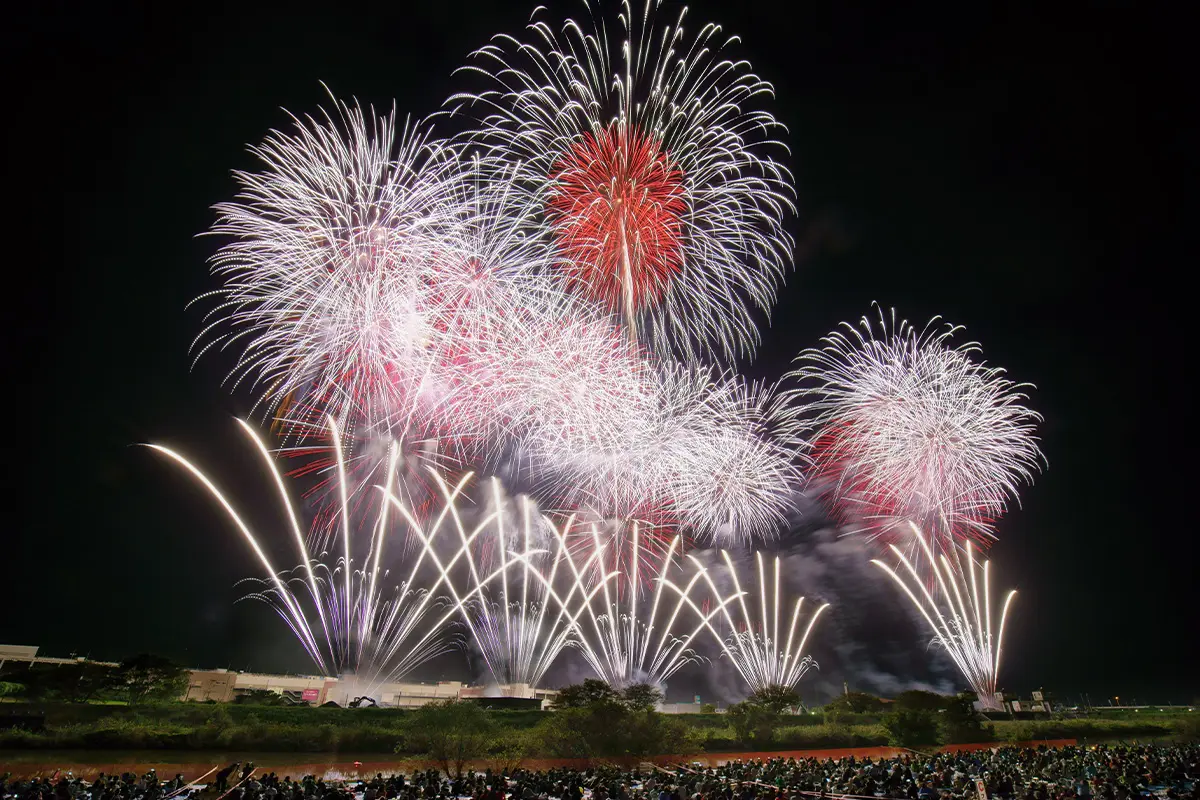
[[352, 623]]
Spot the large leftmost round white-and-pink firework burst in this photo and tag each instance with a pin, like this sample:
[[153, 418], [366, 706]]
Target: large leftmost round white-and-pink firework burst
[[328, 248]]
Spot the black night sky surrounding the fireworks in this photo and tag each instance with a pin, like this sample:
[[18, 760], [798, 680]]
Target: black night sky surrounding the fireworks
[[1018, 170]]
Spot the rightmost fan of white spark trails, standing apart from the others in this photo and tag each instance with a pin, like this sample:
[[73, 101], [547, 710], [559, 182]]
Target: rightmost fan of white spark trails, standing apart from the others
[[959, 613]]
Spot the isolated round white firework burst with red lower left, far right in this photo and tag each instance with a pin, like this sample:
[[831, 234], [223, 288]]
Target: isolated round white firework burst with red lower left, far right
[[909, 428]]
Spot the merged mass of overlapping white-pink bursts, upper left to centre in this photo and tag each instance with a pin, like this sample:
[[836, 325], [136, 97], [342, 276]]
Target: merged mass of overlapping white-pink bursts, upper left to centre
[[380, 278]]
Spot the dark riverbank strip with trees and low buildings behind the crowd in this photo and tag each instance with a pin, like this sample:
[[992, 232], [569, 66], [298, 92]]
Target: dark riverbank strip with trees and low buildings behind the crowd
[[95, 712]]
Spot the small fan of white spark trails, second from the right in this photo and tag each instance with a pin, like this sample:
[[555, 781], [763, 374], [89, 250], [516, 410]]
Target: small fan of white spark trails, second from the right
[[757, 646]]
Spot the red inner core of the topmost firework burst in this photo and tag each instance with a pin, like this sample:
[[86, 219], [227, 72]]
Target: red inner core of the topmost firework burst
[[617, 208]]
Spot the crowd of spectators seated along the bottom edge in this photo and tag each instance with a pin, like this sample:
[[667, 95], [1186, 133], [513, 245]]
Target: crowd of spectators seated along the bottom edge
[[1096, 773]]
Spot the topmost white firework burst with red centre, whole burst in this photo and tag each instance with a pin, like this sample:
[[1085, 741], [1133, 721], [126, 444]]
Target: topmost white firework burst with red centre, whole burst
[[658, 177]]
